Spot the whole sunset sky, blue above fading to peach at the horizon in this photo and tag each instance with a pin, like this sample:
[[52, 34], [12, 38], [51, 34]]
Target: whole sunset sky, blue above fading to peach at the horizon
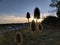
[[14, 11]]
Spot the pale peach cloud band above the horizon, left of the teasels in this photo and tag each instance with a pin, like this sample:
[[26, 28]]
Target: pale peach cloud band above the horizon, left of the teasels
[[12, 19]]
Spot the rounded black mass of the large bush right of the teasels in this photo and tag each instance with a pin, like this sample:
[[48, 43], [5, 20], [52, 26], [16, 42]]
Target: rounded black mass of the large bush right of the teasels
[[50, 20]]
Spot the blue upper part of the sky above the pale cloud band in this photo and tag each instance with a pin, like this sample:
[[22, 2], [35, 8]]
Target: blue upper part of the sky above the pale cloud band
[[19, 8]]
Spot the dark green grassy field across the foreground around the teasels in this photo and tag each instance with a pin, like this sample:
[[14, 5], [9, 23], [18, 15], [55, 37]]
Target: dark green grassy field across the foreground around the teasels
[[46, 37]]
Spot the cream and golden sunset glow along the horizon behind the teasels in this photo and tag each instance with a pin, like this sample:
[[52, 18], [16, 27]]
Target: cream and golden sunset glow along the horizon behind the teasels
[[15, 19]]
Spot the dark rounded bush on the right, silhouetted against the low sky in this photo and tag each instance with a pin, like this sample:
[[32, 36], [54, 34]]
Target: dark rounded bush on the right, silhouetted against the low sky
[[49, 21]]
